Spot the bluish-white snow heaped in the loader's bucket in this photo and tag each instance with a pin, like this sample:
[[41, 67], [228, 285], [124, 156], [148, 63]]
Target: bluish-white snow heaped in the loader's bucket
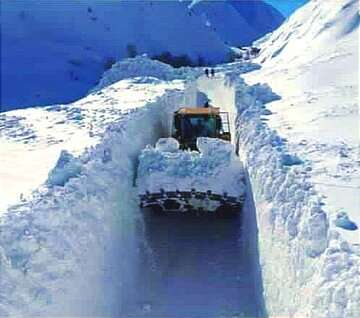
[[215, 170]]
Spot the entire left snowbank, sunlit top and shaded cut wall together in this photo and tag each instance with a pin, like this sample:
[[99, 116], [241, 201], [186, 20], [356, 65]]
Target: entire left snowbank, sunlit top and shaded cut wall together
[[82, 227]]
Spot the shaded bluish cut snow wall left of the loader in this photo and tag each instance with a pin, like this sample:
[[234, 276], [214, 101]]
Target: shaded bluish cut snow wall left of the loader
[[53, 246]]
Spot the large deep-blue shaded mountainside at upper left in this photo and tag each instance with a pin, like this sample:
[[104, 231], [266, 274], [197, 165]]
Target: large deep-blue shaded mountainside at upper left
[[55, 51]]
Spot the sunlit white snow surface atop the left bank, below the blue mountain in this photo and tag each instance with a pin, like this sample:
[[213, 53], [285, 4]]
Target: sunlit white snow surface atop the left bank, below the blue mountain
[[32, 139]]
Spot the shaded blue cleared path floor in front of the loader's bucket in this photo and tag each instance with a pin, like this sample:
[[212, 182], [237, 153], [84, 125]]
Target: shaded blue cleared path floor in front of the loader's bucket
[[198, 267]]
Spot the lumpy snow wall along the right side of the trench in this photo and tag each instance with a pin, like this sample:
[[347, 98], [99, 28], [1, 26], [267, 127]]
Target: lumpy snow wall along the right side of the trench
[[308, 269]]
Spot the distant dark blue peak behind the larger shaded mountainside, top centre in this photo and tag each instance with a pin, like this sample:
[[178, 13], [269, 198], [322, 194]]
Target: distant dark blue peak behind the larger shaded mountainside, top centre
[[238, 23]]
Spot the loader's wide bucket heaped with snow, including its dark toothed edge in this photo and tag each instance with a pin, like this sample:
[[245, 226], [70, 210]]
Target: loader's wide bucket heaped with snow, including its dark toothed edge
[[209, 181]]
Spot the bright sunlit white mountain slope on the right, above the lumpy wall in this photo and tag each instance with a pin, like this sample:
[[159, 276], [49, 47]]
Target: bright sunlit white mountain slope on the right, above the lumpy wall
[[312, 63]]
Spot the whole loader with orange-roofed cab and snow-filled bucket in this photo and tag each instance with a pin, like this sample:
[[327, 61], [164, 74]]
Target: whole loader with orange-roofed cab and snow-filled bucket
[[194, 170]]
